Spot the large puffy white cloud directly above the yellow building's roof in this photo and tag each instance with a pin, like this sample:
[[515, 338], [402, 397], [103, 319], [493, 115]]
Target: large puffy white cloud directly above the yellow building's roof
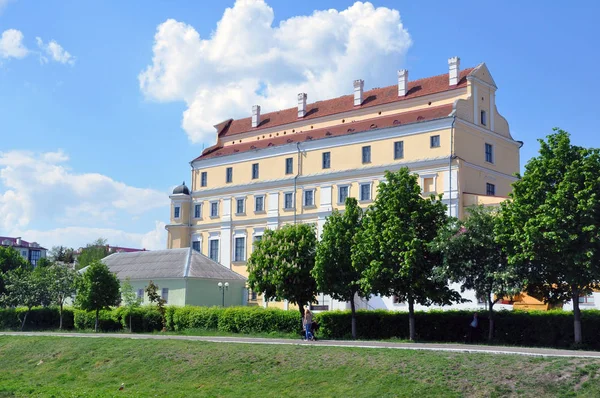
[[248, 61]]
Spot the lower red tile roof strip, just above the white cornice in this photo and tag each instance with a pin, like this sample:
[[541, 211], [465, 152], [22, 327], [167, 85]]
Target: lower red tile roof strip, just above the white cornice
[[416, 116]]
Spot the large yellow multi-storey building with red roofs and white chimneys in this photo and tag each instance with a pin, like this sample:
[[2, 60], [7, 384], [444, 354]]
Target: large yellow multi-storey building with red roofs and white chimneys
[[298, 164]]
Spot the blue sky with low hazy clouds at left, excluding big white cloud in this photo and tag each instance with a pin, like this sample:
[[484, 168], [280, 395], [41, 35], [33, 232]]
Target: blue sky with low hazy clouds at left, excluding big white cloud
[[91, 109]]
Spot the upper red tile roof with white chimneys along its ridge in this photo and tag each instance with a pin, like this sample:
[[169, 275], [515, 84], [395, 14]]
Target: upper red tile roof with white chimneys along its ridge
[[374, 97]]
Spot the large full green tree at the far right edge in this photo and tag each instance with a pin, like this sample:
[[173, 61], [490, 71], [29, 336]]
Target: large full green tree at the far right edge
[[551, 223]]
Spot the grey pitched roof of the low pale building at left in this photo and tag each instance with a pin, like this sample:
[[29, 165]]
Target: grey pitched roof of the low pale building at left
[[170, 263]]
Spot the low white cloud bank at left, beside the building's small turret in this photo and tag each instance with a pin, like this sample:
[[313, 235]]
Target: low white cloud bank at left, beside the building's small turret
[[40, 189]]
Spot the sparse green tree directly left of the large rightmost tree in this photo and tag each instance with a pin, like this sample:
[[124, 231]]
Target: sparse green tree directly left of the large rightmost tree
[[474, 258]]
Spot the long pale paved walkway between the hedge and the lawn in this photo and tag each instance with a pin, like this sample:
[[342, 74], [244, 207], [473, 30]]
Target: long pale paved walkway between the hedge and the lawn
[[546, 352]]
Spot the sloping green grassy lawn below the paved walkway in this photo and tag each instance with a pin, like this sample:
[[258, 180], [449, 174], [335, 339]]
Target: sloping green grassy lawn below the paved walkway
[[82, 367]]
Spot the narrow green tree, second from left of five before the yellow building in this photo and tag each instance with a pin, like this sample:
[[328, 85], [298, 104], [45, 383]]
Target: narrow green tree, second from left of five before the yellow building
[[335, 272]]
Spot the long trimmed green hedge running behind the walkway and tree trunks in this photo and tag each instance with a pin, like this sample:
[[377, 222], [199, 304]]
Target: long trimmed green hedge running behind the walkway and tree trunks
[[535, 328]]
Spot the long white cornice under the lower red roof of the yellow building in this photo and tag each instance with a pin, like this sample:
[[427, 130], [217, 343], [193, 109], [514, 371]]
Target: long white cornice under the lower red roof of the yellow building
[[329, 142]]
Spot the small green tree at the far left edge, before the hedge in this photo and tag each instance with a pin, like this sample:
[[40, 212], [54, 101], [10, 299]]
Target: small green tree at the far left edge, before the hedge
[[25, 287]]
